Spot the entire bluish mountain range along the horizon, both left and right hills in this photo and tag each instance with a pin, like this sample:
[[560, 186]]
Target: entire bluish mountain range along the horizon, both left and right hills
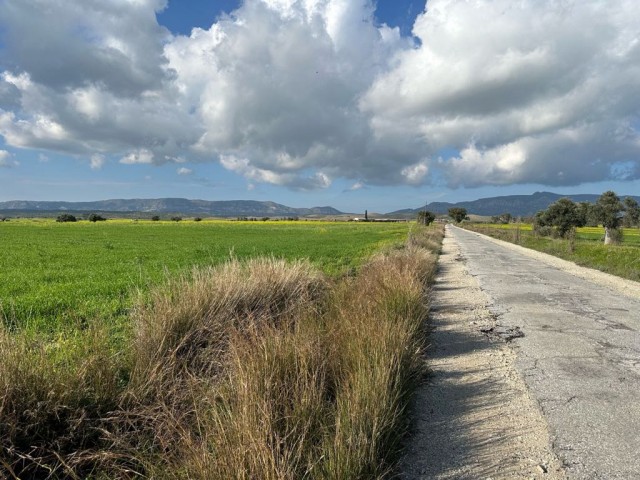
[[517, 205]]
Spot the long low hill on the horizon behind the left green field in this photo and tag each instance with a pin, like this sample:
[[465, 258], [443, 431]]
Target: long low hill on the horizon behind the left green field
[[231, 208]]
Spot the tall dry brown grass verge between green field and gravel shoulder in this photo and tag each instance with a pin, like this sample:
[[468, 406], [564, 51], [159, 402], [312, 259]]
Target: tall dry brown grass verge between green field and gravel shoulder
[[253, 368]]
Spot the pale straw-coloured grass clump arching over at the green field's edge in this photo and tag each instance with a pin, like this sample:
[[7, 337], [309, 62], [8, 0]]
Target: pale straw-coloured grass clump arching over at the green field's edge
[[185, 327]]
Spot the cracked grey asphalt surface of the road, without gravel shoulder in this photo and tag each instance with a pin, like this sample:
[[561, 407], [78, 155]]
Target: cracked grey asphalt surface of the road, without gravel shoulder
[[580, 354]]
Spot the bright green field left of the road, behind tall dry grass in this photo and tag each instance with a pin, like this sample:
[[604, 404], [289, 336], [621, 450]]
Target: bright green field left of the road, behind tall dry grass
[[56, 274]]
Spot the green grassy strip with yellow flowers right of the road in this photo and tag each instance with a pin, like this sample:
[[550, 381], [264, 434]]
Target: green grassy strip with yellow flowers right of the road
[[587, 250]]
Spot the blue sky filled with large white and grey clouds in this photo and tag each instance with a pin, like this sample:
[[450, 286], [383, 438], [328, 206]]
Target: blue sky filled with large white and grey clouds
[[355, 104]]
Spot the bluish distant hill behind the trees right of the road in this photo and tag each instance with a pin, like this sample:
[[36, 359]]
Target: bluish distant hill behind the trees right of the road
[[517, 205]]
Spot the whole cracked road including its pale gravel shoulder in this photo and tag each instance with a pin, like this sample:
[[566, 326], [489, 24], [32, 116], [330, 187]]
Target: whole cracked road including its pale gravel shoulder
[[579, 359]]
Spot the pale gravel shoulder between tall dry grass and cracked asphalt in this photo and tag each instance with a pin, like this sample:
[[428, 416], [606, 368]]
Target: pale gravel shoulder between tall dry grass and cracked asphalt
[[473, 418]]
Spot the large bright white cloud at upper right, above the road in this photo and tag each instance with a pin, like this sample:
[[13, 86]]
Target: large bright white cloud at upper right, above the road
[[533, 91]]
